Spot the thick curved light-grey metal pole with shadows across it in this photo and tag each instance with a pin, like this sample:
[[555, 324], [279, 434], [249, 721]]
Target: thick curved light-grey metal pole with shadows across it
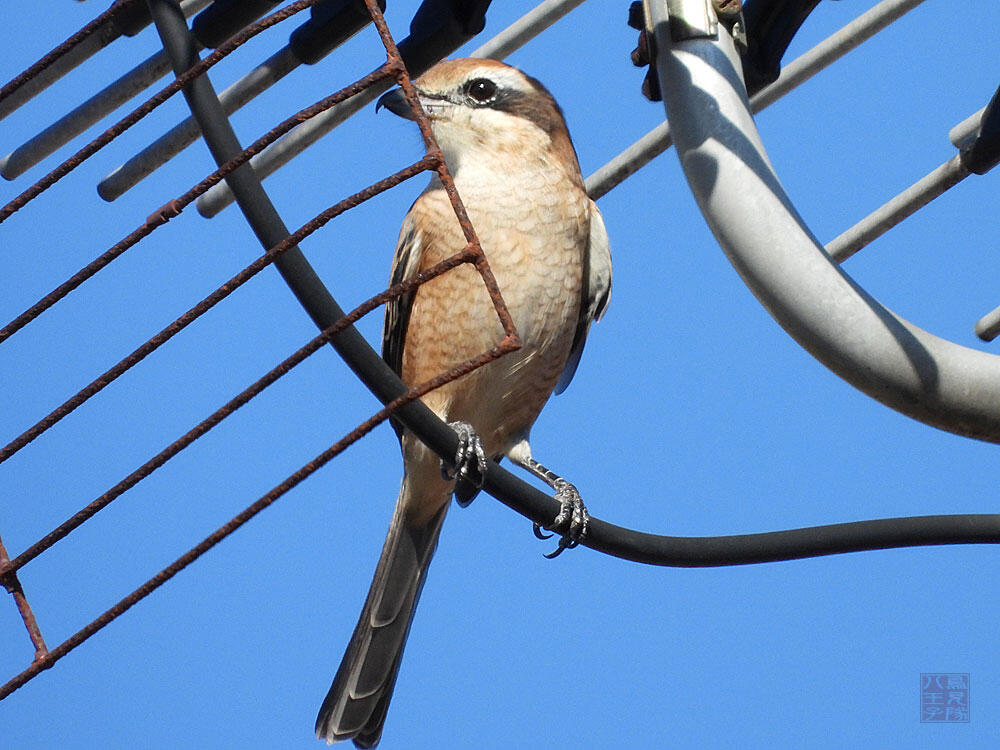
[[921, 375]]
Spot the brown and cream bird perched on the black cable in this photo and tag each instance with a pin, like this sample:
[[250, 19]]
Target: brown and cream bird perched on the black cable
[[505, 143]]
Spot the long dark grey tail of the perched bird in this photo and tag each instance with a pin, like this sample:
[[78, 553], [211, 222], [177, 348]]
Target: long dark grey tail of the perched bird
[[358, 700]]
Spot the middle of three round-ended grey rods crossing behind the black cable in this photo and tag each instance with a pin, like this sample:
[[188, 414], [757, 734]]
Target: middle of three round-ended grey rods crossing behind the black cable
[[182, 135]]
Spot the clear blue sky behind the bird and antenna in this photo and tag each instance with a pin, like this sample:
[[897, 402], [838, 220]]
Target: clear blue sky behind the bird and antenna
[[692, 413]]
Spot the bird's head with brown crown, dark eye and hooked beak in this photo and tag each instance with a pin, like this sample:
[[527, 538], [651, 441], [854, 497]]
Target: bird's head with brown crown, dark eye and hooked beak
[[481, 108]]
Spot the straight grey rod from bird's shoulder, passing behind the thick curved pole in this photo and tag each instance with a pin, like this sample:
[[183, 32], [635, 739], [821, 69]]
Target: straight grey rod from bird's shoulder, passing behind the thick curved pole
[[797, 72]]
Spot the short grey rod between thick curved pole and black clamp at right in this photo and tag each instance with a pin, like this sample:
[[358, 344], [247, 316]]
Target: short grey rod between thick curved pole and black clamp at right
[[896, 210]]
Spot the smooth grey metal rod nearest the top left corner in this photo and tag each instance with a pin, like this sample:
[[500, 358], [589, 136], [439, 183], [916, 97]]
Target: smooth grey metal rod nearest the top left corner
[[83, 45]]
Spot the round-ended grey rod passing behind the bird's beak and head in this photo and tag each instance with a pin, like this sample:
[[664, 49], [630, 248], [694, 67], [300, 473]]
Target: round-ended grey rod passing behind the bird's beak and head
[[308, 133]]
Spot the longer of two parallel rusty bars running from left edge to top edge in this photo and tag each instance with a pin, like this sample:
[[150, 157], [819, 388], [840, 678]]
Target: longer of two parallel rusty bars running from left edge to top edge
[[152, 103]]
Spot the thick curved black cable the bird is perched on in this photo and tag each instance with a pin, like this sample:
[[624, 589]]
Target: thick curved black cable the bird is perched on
[[512, 491]]
